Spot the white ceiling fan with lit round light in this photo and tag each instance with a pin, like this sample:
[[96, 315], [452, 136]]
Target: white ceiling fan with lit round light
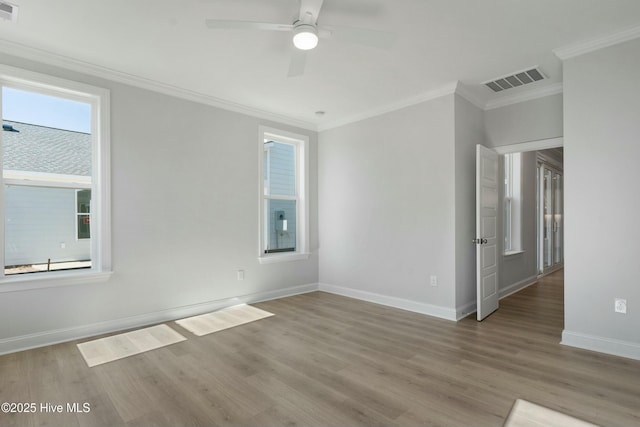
[[306, 33]]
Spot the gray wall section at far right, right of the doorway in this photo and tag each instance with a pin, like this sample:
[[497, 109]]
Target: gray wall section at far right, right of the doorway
[[602, 133]]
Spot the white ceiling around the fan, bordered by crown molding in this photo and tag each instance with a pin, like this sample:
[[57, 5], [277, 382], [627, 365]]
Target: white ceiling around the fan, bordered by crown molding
[[438, 43]]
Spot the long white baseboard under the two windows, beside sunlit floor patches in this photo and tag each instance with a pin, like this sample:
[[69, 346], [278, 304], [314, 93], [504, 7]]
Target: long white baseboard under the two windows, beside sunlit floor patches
[[44, 338]]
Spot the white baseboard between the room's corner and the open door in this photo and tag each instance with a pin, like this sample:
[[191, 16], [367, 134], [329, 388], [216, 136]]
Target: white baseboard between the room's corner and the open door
[[404, 304]]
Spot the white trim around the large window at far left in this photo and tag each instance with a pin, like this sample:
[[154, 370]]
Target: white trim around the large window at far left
[[99, 98]]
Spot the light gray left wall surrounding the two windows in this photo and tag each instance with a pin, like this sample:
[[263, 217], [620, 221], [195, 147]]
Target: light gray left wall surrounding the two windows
[[185, 194]]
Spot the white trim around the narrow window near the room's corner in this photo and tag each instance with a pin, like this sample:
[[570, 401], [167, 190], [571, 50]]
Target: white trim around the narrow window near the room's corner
[[302, 187]]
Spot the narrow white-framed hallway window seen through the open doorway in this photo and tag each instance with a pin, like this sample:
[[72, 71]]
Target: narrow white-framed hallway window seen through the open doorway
[[512, 203]]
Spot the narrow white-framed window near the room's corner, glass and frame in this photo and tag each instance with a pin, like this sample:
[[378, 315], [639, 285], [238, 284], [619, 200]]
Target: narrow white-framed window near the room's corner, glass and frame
[[283, 201]]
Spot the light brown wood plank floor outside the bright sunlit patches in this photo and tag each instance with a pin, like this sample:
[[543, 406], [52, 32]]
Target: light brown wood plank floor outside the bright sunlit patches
[[326, 360]]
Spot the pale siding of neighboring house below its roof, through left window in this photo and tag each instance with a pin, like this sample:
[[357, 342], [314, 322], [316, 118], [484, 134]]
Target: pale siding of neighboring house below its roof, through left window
[[39, 221]]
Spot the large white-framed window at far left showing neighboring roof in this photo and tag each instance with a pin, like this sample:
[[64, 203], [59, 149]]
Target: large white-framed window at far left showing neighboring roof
[[54, 200]]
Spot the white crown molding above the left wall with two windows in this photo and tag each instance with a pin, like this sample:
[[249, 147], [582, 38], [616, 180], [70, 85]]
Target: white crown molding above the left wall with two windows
[[49, 58]]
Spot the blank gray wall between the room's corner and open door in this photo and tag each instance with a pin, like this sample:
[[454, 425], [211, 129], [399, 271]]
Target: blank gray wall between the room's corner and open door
[[387, 194]]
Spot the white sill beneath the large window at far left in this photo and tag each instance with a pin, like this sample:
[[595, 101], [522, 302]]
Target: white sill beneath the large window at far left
[[31, 281]]
